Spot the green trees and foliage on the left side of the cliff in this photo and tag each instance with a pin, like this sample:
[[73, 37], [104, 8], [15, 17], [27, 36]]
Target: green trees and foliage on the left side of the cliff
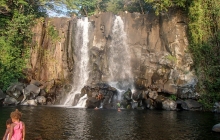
[[16, 20]]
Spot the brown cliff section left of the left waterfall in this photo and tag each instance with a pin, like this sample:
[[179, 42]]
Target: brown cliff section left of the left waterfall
[[48, 63]]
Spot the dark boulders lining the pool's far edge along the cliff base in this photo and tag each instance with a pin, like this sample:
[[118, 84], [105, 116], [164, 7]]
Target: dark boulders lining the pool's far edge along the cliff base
[[99, 95]]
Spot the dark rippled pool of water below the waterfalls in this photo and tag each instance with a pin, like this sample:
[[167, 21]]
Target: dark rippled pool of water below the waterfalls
[[59, 123]]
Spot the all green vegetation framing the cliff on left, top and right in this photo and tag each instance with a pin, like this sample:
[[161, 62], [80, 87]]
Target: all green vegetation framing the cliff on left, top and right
[[18, 16]]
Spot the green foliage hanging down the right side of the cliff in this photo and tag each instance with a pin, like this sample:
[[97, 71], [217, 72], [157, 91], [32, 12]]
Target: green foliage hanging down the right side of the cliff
[[204, 31]]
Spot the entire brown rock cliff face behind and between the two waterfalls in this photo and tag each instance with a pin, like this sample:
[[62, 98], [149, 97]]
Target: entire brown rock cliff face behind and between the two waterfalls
[[157, 46]]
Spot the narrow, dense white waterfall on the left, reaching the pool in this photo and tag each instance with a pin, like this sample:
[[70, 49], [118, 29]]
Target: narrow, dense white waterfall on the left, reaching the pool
[[81, 70]]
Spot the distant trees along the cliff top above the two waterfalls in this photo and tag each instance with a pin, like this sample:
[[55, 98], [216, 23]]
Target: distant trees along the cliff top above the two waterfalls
[[91, 7]]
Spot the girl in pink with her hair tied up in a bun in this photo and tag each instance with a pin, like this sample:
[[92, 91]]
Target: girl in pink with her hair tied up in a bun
[[17, 129]]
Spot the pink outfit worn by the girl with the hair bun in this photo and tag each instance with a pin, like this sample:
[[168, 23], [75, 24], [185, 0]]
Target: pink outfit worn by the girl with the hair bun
[[18, 129]]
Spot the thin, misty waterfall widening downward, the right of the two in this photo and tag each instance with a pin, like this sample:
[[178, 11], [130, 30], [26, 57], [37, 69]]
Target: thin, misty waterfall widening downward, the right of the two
[[119, 58]]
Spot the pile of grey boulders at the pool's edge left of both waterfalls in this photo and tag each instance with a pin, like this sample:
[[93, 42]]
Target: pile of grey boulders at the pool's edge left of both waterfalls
[[27, 94]]
